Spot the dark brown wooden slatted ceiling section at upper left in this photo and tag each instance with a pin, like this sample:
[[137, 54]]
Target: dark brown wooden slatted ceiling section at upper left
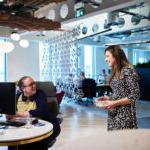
[[19, 14]]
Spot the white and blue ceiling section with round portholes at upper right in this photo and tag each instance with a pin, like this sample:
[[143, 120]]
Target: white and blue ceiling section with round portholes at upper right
[[128, 26]]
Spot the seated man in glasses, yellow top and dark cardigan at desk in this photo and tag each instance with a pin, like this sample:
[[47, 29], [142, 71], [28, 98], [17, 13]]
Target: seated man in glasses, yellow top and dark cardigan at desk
[[33, 102]]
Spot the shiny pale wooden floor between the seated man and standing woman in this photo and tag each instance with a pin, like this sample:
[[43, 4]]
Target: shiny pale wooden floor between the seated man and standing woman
[[79, 120]]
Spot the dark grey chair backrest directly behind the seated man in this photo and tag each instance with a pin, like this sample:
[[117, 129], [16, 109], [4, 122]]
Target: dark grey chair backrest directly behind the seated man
[[50, 90]]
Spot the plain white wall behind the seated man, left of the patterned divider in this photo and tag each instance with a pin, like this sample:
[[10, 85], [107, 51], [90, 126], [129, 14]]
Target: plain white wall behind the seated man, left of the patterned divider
[[23, 61]]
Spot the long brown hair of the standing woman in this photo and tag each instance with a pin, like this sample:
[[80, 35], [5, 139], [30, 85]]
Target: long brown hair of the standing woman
[[121, 60]]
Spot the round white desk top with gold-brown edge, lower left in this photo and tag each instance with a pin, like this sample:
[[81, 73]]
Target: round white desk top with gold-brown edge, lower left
[[22, 135]]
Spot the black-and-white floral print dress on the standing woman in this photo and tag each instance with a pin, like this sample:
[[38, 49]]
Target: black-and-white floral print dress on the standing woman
[[124, 117]]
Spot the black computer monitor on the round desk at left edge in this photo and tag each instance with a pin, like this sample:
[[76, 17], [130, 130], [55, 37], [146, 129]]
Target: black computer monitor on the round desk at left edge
[[7, 98]]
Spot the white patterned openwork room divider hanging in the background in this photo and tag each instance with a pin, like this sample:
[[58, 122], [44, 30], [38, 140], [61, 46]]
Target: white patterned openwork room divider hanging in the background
[[59, 56]]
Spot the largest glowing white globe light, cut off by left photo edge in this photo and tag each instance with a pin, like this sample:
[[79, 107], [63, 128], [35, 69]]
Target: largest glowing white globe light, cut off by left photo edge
[[6, 46]]
